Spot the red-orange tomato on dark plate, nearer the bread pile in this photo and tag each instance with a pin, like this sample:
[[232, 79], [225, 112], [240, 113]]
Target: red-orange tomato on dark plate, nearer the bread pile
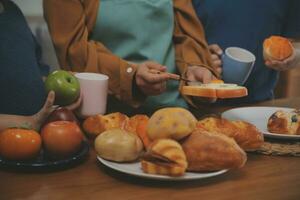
[[61, 138]]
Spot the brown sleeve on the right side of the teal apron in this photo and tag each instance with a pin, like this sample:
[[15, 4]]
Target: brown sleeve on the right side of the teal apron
[[189, 39]]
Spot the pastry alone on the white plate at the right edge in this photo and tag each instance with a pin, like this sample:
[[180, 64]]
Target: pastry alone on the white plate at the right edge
[[284, 122]]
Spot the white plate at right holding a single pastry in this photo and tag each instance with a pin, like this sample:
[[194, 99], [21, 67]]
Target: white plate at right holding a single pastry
[[259, 117]]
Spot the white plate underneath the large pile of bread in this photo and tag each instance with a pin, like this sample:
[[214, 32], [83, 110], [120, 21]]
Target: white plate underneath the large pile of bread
[[135, 170]]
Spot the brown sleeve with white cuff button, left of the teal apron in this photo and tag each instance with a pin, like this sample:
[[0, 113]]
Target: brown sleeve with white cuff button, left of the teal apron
[[70, 23]]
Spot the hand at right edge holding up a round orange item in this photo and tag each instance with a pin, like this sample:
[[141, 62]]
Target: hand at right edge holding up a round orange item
[[289, 63]]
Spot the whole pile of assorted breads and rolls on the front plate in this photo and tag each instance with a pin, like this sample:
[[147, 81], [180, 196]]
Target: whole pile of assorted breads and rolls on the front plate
[[172, 141]]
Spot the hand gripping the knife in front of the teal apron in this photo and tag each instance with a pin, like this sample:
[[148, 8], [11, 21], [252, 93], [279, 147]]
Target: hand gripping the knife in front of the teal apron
[[151, 83]]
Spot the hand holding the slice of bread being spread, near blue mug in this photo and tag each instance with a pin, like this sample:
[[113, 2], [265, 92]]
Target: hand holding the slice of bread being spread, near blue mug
[[200, 74]]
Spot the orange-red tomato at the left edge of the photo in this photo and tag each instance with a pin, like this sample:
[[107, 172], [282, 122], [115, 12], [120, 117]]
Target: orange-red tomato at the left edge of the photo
[[19, 144]]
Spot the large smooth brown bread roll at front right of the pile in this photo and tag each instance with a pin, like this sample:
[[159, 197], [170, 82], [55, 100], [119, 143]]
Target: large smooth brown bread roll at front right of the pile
[[206, 151]]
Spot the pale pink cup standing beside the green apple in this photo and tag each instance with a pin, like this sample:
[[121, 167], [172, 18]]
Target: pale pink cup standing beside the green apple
[[94, 88]]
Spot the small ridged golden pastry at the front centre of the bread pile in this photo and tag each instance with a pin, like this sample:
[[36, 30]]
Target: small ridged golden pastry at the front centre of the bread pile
[[165, 157]]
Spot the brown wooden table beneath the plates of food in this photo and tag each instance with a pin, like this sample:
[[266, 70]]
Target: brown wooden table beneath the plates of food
[[263, 177]]
